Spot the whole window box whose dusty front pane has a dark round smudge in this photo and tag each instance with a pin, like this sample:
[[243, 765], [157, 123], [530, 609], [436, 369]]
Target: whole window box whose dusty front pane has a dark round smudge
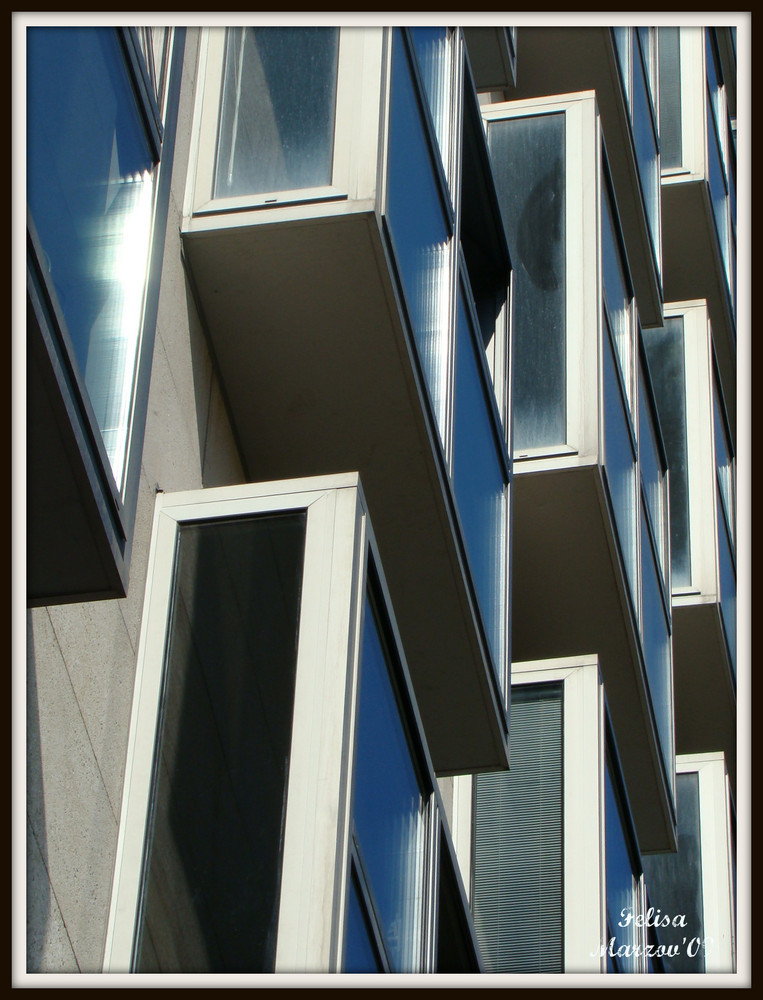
[[590, 507]]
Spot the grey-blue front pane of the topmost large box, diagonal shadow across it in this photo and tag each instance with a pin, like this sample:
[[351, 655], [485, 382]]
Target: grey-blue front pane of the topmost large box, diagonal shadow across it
[[277, 110]]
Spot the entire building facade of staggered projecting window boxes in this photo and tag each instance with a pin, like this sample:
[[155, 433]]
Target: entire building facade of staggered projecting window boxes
[[381, 499]]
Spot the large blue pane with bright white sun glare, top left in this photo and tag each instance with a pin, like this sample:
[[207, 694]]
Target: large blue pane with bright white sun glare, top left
[[90, 192]]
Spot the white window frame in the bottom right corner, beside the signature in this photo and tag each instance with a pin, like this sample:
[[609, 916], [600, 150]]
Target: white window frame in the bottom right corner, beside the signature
[[718, 916]]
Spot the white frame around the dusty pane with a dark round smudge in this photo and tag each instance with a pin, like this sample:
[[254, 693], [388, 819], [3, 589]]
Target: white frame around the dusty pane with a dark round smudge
[[582, 327]]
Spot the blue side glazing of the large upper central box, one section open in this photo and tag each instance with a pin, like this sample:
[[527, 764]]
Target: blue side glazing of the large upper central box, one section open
[[439, 245]]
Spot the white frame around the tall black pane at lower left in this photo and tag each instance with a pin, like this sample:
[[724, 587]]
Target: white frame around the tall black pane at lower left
[[317, 845]]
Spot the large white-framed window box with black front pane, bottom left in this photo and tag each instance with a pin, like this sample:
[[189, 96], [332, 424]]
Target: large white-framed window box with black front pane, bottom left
[[280, 811]]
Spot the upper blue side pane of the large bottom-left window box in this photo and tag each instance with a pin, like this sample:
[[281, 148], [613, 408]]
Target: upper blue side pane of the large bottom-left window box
[[388, 806]]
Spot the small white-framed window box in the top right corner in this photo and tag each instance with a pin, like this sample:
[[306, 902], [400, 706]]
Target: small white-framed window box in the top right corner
[[699, 188]]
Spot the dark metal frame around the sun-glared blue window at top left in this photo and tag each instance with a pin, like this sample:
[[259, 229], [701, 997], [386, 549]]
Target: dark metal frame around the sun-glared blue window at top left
[[115, 502]]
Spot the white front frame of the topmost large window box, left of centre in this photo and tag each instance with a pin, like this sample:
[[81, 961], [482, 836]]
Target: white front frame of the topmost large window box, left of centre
[[355, 130]]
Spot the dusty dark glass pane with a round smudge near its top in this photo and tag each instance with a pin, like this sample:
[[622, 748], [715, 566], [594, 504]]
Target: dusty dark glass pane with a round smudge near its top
[[528, 156]]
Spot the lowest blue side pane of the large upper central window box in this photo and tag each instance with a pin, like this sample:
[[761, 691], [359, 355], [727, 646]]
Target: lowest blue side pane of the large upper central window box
[[480, 486]]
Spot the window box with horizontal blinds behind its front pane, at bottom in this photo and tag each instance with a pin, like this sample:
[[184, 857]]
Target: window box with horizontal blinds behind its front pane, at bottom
[[554, 857]]
